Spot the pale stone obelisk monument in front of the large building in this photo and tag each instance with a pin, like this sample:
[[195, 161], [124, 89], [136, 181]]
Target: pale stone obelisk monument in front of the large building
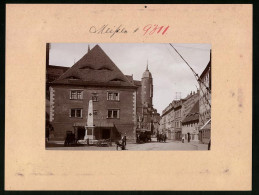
[[89, 128]]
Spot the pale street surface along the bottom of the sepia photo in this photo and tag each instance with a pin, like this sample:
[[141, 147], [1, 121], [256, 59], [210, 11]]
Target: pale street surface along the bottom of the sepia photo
[[150, 146]]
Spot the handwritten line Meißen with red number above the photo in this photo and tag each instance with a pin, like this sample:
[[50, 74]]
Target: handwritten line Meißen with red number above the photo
[[150, 29]]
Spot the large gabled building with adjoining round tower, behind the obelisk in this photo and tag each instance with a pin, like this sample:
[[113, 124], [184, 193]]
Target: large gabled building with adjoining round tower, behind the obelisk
[[121, 105]]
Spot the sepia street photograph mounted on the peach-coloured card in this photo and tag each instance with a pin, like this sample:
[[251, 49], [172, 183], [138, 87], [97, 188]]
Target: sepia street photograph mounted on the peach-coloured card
[[128, 96]]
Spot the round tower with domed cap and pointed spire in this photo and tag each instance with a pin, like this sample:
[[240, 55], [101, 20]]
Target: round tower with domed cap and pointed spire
[[147, 89]]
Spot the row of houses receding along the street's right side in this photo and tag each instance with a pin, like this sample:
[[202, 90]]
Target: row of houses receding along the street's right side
[[190, 117]]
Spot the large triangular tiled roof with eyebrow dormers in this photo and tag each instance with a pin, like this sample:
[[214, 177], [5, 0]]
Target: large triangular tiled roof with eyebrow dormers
[[94, 68]]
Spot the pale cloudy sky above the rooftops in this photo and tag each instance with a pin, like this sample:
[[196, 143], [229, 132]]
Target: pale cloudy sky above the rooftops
[[170, 73]]
